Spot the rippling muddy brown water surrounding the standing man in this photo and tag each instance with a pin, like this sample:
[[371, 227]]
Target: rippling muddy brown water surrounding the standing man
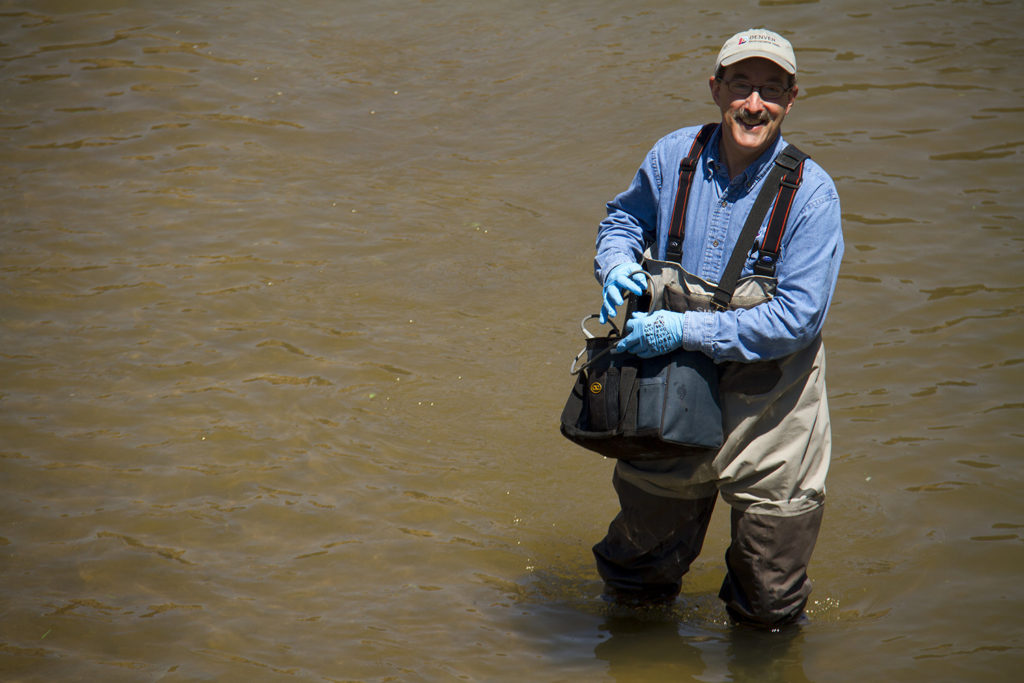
[[289, 295]]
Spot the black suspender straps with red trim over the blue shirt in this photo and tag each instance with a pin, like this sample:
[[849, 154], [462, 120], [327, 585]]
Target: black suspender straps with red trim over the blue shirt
[[780, 188]]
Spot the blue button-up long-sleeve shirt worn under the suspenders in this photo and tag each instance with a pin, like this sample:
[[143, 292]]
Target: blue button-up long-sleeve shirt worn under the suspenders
[[809, 258]]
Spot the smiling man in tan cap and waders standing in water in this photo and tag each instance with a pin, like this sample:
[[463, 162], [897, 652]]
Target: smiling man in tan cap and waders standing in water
[[773, 466]]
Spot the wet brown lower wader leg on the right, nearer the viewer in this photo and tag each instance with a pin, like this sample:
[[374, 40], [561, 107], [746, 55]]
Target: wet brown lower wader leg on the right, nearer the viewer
[[766, 582]]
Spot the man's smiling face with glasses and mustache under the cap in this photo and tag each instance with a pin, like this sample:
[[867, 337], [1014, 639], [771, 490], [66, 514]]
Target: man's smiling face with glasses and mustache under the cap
[[751, 123]]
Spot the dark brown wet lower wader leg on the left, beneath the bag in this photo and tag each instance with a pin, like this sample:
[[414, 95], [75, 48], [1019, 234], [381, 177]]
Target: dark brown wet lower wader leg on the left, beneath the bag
[[652, 543]]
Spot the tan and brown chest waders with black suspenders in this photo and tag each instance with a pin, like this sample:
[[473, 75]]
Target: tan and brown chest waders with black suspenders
[[773, 465]]
